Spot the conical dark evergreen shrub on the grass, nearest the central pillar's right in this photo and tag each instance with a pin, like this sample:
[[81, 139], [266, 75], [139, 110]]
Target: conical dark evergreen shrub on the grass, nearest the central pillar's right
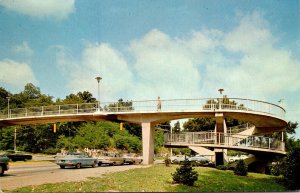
[[185, 174]]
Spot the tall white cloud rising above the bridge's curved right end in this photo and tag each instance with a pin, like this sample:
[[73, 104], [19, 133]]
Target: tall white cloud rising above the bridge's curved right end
[[262, 69]]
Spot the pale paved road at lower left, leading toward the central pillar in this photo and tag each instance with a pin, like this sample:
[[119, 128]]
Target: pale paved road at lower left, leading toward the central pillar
[[35, 173]]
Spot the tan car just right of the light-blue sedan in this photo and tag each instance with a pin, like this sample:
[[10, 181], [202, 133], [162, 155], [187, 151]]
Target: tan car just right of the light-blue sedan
[[111, 158]]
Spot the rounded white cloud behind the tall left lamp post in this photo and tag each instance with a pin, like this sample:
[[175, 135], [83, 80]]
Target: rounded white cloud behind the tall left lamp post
[[98, 60]]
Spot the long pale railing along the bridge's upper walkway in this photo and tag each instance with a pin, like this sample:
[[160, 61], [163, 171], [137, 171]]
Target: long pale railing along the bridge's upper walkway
[[172, 105]]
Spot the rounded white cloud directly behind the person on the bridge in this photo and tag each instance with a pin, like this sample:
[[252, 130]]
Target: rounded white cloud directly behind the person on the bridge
[[163, 67]]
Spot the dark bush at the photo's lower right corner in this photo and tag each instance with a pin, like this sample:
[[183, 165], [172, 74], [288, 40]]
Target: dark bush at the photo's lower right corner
[[291, 169]]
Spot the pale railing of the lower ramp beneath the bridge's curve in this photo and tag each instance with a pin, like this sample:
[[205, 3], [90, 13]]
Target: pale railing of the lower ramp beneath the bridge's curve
[[215, 138]]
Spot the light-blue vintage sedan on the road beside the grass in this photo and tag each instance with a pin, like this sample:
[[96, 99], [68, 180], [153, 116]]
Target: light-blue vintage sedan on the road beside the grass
[[76, 159]]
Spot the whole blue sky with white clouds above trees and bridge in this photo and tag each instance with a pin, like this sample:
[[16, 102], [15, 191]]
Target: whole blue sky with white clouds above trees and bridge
[[144, 49]]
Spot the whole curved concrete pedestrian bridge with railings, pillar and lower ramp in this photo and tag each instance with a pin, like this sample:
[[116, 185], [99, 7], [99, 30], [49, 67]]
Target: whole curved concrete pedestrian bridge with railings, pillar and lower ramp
[[266, 118]]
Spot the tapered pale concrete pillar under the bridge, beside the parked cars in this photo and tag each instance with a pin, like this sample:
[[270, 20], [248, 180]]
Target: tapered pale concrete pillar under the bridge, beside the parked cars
[[148, 142]]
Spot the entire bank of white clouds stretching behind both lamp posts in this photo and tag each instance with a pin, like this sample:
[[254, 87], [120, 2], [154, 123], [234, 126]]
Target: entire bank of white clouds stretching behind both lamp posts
[[244, 61]]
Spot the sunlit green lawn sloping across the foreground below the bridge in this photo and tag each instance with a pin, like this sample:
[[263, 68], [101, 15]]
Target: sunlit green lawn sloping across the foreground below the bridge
[[158, 178]]
